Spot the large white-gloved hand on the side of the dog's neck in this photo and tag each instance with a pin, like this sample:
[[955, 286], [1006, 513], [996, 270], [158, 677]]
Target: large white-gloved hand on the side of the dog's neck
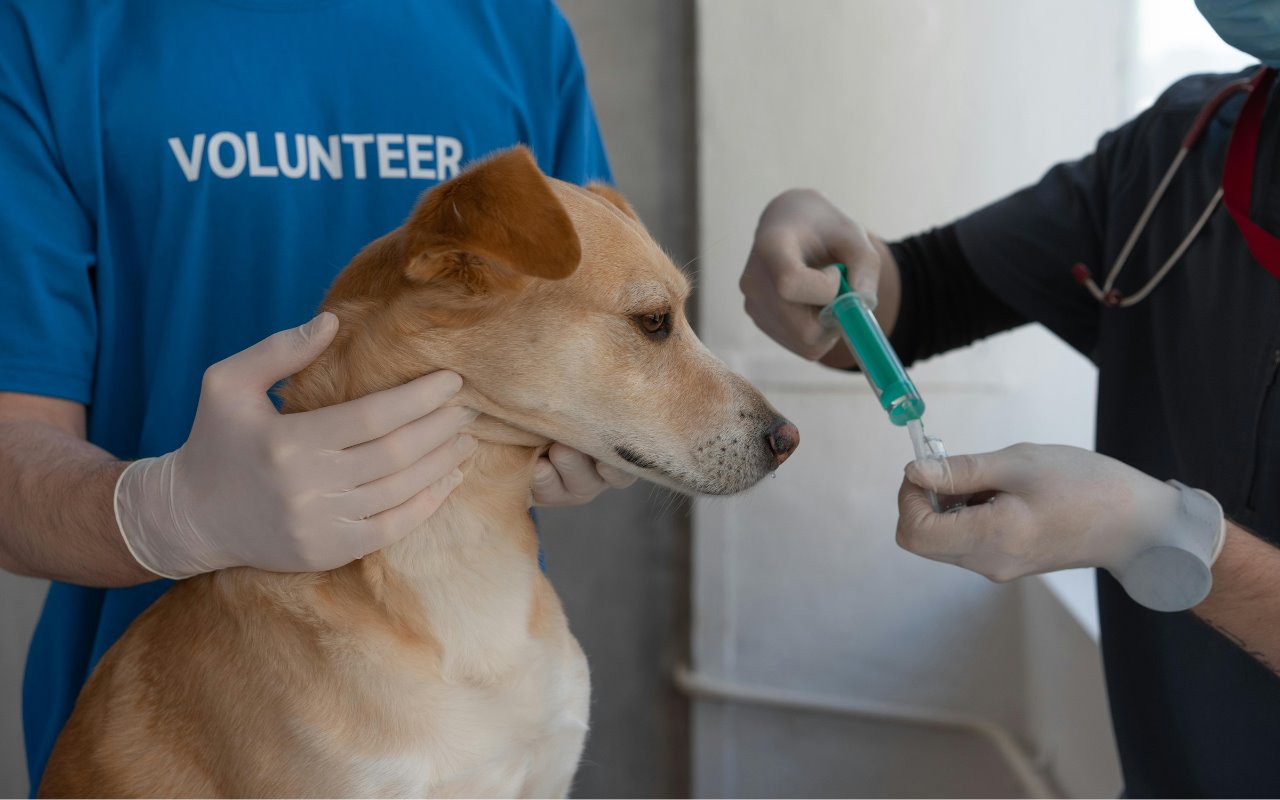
[[292, 492]]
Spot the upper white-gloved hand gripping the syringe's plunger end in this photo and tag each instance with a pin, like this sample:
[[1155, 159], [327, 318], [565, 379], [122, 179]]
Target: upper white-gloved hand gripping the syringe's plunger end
[[799, 231]]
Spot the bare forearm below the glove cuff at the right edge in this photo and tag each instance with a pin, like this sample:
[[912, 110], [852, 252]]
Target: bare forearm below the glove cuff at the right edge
[[1245, 605]]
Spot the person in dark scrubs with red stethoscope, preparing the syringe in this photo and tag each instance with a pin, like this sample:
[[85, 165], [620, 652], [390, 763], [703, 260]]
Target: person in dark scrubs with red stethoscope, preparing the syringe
[[1190, 390]]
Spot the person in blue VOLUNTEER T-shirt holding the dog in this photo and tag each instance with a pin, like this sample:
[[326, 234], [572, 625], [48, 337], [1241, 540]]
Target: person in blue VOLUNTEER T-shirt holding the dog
[[180, 184]]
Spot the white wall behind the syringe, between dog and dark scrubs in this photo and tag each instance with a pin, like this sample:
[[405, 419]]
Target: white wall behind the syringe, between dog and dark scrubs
[[907, 113]]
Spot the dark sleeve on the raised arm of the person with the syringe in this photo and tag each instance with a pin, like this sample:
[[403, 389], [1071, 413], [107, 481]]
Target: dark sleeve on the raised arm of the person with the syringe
[[1011, 263]]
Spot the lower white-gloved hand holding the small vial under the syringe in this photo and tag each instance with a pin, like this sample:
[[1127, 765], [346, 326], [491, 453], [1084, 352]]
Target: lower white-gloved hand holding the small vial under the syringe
[[1054, 508]]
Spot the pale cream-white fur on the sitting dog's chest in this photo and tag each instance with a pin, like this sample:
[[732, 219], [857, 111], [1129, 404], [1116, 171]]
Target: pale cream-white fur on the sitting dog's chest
[[505, 711]]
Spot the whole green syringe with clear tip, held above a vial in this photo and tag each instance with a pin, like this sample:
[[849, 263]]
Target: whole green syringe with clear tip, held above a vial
[[886, 376]]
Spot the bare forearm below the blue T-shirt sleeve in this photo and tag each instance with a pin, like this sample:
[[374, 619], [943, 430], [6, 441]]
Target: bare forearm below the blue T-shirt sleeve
[[57, 508]]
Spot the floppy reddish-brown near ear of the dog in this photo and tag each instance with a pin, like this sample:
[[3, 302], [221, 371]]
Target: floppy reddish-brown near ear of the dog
[[501, 213]]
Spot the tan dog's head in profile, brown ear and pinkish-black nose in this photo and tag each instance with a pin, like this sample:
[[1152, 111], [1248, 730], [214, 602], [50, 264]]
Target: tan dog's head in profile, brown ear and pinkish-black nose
[[565, 321]]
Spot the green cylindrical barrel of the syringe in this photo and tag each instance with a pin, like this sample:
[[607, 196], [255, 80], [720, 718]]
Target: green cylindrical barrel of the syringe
[[876, 358]]
